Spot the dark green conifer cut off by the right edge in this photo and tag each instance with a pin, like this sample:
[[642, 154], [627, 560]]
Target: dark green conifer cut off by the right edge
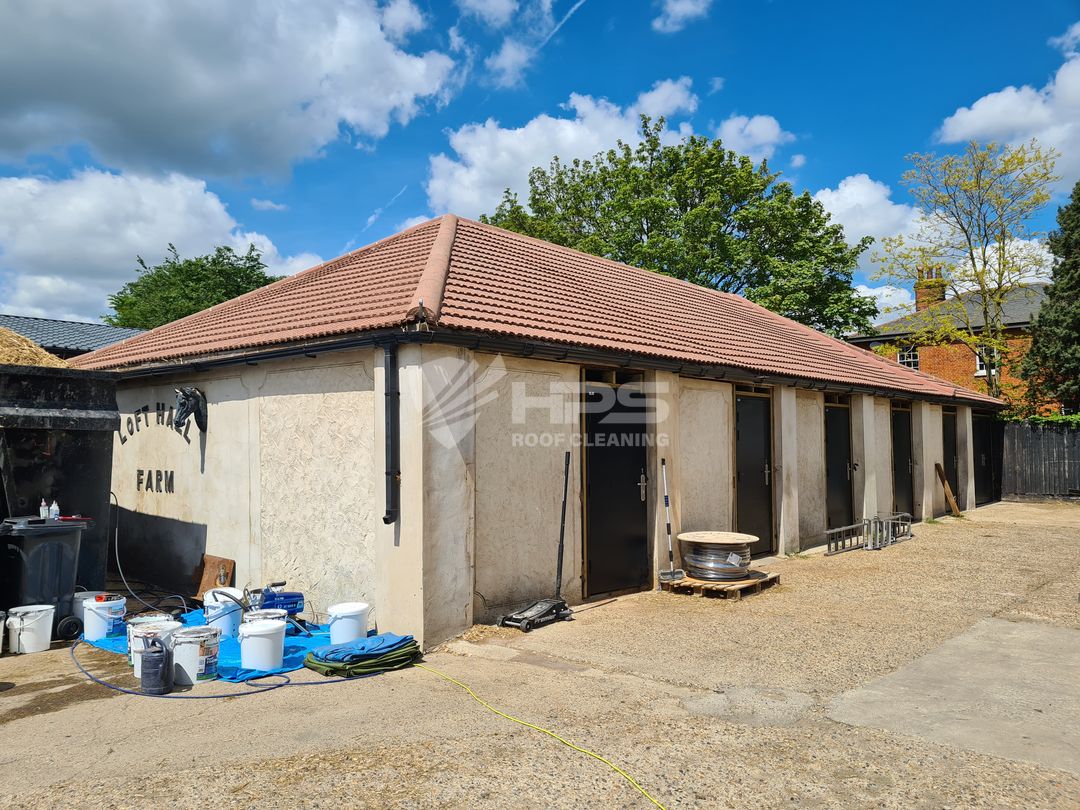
[[1052, 366]]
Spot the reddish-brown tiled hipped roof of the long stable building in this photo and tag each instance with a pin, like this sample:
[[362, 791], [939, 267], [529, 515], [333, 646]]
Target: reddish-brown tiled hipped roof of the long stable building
[[463, 275]]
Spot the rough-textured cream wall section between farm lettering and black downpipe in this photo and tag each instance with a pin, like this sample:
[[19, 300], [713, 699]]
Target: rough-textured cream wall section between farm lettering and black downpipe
[[318, 505]]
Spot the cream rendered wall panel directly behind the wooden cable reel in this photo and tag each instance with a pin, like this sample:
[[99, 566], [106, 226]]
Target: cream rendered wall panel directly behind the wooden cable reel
[[705, 458]]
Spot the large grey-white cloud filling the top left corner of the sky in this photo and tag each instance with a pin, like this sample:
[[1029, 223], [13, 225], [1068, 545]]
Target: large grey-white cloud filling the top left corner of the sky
[[224, 89]]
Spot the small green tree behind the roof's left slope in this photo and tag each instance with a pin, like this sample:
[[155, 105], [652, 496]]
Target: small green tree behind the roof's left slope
[[180, 288]]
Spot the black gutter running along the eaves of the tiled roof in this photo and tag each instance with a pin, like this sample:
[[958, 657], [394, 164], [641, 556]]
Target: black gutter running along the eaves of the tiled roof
[[539, 350]]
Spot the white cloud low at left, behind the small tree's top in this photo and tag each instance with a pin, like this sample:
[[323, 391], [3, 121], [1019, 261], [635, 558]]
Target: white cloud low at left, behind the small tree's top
[[65, 246]]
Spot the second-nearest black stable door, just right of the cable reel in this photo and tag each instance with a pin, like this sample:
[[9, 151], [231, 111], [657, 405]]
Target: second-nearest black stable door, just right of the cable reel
[[754, 471]]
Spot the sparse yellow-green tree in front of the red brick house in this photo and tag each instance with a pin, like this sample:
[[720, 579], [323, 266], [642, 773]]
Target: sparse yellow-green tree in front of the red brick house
[[974, 245]]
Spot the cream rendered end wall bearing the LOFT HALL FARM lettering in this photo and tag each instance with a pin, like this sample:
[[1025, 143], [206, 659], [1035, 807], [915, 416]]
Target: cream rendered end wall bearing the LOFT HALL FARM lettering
[[282, 482]]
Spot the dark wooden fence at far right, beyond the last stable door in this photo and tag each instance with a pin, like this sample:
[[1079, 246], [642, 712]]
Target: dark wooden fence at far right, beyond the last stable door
[[1042, 461]]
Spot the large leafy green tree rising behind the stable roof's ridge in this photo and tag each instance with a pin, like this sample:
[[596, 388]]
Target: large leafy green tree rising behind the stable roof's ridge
[[701, 213]]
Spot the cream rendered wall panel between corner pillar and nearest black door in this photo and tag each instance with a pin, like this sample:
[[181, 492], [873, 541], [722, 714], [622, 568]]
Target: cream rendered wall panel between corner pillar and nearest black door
[[528, 416]]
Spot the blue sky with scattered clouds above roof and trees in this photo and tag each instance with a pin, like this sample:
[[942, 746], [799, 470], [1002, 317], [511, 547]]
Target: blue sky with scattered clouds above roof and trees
[[317, 128]]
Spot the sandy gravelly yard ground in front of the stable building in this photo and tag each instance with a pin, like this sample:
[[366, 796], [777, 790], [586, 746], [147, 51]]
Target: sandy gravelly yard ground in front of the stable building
[[707, 704]]
